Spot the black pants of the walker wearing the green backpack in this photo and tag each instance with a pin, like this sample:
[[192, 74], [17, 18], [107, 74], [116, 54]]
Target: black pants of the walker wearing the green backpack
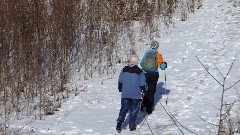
[[148, 99]]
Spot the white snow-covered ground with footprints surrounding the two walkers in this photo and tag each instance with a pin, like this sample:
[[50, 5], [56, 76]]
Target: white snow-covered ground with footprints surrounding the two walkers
[[212, 34]]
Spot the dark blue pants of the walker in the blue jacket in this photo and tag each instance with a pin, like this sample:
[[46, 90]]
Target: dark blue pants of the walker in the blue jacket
[[132, 105]]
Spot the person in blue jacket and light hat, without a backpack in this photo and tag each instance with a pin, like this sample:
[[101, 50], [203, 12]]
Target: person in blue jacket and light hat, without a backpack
[[131, 83]]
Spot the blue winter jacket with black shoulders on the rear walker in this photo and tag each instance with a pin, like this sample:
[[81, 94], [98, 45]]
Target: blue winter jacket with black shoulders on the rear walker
[[131, 81]]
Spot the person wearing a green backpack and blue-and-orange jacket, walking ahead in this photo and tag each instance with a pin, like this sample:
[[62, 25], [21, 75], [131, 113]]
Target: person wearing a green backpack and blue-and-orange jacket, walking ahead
[[151, 61]]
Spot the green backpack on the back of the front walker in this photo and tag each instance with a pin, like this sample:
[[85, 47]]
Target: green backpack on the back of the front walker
[[149, 62]]
